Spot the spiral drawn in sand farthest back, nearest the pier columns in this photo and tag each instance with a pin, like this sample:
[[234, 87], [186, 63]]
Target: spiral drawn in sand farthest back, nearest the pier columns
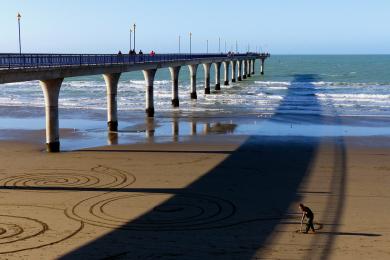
[[66, 179]]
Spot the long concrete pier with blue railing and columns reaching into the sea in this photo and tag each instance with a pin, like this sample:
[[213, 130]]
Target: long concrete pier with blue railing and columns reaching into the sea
[[51, 69]]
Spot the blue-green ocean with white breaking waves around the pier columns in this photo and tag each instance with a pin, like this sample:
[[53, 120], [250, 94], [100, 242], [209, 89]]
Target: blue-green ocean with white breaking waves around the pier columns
[[305, 95]]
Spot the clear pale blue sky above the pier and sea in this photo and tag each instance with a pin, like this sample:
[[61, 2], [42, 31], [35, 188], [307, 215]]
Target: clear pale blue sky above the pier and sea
[[279, 26]]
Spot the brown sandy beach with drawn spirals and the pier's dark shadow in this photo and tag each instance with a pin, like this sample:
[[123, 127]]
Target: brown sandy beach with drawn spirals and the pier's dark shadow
[[215, 197]]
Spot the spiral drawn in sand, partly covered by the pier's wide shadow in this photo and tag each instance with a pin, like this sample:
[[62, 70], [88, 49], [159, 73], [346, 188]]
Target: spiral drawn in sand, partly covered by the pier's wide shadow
[[154, 211]]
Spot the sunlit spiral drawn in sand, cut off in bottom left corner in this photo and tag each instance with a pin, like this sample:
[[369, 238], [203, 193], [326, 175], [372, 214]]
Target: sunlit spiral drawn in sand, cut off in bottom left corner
[[29, 227]]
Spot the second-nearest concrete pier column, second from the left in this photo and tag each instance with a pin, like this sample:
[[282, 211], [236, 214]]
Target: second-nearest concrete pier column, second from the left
[[112, 87]]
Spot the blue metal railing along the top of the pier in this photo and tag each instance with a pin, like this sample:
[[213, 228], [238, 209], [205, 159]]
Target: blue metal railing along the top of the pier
[[20, 61]]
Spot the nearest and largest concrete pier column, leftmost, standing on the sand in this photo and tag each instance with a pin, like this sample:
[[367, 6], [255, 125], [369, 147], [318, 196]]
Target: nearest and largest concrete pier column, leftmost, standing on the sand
[[51, 91]]
